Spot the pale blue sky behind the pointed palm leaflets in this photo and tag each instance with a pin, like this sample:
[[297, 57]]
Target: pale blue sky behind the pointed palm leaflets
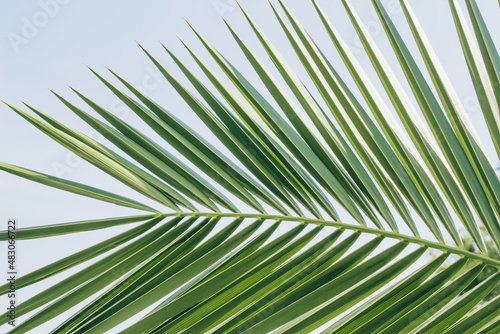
[[48, 44]]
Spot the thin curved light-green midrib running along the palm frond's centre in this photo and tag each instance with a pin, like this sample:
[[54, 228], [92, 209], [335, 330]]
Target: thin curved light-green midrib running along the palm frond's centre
[[359, 228]]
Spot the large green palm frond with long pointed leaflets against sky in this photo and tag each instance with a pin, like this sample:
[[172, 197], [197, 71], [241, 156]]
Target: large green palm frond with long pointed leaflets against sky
[[336, 202]]
